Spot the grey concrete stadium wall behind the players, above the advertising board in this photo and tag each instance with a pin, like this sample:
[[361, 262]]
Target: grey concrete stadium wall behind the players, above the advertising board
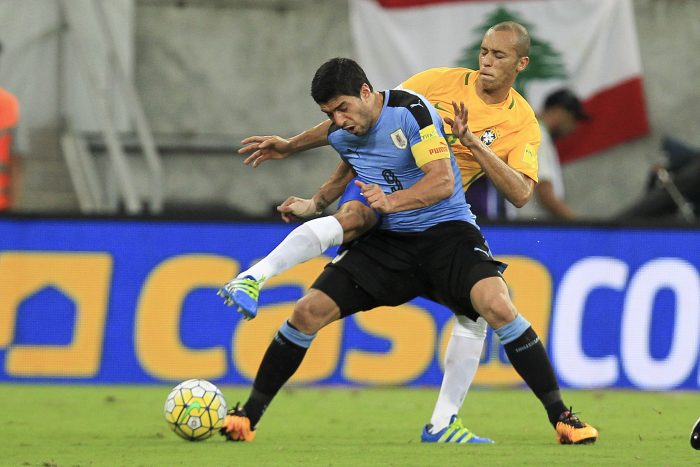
[[214, 71]]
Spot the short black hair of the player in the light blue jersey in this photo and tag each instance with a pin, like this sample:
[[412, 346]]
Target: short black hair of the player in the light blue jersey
[[338, 77]]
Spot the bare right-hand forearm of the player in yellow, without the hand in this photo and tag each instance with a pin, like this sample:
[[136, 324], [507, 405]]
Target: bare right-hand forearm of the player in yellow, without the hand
[[513, 185]]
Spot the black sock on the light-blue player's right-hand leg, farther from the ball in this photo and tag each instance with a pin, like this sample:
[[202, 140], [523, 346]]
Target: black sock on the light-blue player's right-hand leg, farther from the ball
[[529, 358]]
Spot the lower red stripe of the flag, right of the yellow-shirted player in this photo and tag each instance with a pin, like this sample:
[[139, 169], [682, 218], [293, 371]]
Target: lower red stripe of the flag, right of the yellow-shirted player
[[618, 114]]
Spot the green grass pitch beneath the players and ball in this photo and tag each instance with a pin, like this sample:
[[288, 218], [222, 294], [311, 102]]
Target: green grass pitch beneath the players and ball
[[81, 425]]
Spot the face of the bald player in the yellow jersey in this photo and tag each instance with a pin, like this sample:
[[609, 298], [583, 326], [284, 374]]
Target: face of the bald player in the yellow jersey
[[499, 62]]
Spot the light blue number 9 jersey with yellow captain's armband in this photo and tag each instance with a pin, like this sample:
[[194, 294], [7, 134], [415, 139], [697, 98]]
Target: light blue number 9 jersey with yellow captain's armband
[[408, 134]]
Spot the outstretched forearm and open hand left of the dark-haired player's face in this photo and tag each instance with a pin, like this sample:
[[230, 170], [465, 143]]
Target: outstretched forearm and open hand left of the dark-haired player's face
[[274, 147]]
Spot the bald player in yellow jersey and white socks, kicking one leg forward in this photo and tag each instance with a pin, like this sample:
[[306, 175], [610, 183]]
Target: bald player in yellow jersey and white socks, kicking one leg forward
[[497, 135]]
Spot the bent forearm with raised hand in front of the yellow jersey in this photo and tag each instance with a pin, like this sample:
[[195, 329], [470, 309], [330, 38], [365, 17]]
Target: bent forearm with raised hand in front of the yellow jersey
[[515, 186]]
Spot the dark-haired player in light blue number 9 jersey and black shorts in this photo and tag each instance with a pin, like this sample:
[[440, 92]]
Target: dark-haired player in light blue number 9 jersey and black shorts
[[426, 245]]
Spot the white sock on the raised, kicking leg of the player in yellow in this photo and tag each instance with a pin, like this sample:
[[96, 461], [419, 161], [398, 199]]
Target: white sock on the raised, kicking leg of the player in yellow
[[307, 241]]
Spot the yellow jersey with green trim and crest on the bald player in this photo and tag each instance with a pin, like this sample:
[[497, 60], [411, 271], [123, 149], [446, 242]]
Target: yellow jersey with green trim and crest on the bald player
[[509, 128]]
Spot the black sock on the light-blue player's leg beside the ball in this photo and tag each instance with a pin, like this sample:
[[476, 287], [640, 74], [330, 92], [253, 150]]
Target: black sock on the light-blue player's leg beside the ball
[[281, 360]]
